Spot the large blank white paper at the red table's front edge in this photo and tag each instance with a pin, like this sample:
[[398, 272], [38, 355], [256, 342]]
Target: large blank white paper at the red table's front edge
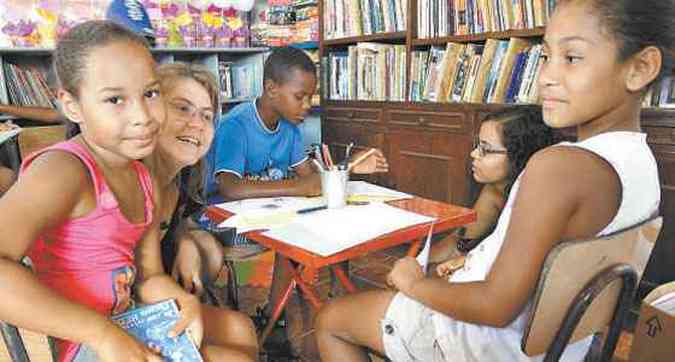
[[327, 232]]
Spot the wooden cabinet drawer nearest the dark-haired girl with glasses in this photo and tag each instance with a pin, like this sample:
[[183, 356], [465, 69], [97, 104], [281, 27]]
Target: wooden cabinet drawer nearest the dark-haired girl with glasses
[[453, 122]]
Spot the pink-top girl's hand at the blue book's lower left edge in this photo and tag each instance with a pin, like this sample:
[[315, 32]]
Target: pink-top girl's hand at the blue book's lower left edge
[[115, 345]]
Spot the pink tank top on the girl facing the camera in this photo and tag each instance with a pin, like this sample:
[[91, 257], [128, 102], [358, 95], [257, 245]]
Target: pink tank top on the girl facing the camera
[[90, 259]]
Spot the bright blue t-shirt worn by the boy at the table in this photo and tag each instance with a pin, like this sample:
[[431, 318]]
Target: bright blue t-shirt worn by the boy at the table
[[244, 146]]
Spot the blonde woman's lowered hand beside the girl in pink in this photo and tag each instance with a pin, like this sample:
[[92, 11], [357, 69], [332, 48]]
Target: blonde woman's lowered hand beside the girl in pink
[[187, 268]]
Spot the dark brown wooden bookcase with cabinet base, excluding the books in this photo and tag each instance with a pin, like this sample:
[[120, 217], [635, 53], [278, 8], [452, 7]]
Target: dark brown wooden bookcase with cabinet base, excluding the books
[[428, 143]]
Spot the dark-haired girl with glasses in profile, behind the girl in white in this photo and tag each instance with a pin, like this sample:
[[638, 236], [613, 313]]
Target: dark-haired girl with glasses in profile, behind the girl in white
[[505, 142]]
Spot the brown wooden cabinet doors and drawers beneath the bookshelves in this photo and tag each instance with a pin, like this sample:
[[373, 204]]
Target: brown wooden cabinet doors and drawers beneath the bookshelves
[[428, 150]]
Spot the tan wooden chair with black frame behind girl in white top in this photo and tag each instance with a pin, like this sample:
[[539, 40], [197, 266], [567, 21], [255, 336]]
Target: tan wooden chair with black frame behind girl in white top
[[586, 286]]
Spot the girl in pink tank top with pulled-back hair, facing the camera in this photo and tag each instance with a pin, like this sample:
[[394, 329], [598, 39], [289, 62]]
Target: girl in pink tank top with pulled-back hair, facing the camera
[[80, 208]]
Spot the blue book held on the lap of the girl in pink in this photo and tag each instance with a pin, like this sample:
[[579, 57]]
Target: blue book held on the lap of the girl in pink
[[151, 324]]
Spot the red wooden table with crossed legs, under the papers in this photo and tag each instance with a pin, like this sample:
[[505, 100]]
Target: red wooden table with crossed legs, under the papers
[[447, 217]]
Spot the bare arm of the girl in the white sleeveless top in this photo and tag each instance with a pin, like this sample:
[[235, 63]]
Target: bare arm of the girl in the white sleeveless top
[[552, 205]]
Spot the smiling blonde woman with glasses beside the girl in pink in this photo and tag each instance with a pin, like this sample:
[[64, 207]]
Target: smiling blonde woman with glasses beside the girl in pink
[[191, 95]]
